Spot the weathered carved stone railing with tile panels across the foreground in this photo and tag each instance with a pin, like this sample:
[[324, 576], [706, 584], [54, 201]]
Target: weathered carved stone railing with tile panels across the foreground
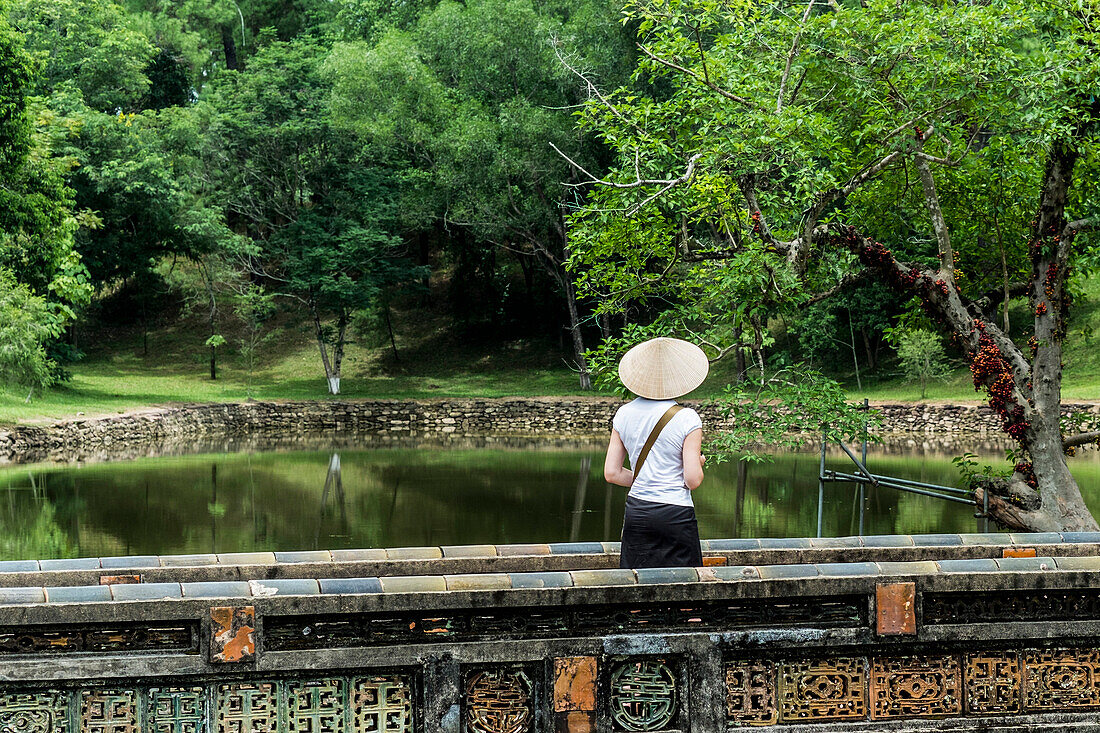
[[981, 638]]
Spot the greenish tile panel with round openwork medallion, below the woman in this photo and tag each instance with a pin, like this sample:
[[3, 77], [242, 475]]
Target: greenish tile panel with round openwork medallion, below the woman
[[643, 696]]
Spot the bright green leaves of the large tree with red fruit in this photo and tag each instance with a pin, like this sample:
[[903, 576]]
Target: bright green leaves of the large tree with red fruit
[[751, 128]]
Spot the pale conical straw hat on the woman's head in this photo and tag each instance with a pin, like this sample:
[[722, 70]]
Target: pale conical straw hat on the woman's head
[[664, 369]]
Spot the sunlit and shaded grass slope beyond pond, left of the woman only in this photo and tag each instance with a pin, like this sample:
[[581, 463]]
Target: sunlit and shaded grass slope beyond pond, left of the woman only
[[174, 370]]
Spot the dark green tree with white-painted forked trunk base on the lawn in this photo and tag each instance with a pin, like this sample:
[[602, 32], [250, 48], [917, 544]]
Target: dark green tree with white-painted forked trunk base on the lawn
[[318, 216]]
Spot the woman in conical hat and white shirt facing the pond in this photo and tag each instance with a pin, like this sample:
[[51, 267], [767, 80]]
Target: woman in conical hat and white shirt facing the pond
[[659, 529]]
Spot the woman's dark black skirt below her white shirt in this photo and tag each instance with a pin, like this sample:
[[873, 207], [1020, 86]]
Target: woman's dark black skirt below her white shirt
[[659, 537]]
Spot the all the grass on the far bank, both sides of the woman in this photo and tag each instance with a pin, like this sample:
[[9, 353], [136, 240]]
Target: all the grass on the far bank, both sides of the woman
[[432, 364]]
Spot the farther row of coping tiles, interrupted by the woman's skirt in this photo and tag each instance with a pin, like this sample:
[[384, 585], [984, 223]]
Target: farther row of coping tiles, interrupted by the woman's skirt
[[420, 555]]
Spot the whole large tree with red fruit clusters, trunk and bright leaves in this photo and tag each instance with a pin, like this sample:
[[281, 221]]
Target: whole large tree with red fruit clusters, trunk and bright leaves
[[811, 139]]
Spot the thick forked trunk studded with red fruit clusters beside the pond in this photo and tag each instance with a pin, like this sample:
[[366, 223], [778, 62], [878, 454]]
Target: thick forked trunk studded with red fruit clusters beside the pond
[[1042, 495]]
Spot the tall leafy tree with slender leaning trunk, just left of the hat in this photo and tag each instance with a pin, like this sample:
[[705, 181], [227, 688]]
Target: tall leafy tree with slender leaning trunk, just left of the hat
[[470, 124]]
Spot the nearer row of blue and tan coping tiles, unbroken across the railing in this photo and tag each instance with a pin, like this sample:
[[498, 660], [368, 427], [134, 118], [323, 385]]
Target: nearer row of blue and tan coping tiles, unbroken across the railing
[[498, 582]]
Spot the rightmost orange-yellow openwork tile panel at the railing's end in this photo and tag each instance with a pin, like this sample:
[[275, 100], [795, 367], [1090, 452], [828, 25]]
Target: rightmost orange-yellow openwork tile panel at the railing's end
[[1061, 680]]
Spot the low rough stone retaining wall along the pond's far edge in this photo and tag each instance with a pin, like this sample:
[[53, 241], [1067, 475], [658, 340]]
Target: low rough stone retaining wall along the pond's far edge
[[180, 430]]
